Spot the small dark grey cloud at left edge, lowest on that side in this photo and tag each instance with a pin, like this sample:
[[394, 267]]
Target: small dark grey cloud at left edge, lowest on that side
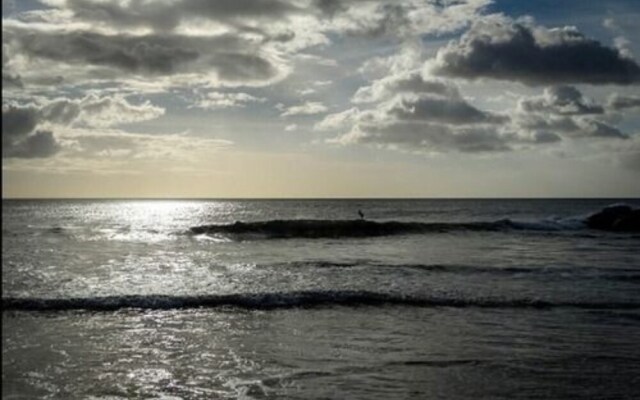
[[18, 137]]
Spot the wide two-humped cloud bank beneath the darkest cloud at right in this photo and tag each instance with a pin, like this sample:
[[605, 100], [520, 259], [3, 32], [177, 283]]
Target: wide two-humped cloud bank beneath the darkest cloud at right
[[415, 113]]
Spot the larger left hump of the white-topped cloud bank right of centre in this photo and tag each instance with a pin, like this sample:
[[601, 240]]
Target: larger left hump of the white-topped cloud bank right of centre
[[420, 115]]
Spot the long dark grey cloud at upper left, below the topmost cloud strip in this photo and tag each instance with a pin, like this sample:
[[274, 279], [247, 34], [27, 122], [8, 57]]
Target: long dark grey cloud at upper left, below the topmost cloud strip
[[233, 58]]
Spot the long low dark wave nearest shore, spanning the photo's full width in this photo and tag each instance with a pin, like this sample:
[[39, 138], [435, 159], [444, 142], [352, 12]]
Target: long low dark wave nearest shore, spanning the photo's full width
[[286, 300]]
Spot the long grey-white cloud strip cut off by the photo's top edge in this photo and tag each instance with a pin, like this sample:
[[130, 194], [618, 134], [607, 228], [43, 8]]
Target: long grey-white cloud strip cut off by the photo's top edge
[[368, 17]]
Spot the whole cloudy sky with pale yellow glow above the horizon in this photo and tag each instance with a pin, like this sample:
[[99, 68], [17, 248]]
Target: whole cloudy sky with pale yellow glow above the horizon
[[320, 98]]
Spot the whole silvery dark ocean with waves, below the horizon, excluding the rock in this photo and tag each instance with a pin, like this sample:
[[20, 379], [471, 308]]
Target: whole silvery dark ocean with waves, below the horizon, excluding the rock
[[423, 299]]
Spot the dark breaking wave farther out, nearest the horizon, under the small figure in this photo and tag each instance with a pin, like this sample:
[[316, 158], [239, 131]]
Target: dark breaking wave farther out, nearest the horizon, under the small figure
[[317, 228]]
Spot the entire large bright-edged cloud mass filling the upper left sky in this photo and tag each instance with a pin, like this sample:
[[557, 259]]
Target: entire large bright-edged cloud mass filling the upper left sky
[[220, 43]]
